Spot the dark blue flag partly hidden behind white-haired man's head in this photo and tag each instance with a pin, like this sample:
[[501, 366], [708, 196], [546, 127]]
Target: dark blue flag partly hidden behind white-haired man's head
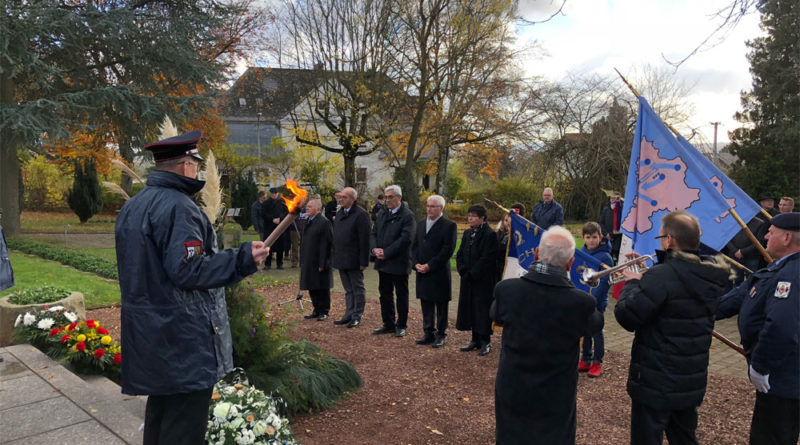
[[522, 244]]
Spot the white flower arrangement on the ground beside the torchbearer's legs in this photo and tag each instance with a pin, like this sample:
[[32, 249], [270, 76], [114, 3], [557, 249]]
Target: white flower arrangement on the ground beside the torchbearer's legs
[[241, 414]]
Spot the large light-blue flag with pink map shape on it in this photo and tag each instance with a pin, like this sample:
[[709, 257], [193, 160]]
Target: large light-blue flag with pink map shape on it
[[663, 176]]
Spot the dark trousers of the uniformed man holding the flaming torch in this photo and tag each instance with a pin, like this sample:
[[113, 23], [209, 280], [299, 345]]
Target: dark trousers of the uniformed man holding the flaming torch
[[177, 418]]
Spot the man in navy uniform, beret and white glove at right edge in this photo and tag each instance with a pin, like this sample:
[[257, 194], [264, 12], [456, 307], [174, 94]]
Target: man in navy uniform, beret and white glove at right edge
[[768, 304]]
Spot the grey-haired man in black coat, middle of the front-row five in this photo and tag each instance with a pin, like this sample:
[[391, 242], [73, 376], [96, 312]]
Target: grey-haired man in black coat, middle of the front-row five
[[390, 243]]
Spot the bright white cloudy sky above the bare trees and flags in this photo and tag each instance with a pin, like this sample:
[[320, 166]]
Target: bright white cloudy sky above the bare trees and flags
[[598, 35]]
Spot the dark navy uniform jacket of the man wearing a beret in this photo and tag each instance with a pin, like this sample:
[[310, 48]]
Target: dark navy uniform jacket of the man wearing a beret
[[768, 304]]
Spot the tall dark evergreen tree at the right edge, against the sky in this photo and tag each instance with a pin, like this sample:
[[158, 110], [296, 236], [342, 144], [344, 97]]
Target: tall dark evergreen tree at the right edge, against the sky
[[767, 143]]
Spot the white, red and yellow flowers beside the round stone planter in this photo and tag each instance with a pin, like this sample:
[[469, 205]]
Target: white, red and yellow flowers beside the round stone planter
[[86, 345]]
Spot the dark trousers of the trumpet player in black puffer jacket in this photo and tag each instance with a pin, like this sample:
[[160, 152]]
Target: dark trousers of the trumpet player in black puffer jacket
[[648, 425]]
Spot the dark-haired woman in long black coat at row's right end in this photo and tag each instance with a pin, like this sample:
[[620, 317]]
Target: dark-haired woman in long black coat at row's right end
[[476, 263]]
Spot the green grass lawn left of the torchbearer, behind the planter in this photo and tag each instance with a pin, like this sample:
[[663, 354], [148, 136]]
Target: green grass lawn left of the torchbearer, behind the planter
[[31, 272]]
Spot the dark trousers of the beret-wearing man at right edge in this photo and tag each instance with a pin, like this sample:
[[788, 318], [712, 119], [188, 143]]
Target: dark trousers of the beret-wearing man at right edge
[[776, 421]]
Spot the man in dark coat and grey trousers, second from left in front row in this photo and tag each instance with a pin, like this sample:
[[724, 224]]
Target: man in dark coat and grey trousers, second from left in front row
[[351, 254]]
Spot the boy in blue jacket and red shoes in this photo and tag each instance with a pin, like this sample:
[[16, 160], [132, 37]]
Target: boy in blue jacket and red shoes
[[598, 247]]
